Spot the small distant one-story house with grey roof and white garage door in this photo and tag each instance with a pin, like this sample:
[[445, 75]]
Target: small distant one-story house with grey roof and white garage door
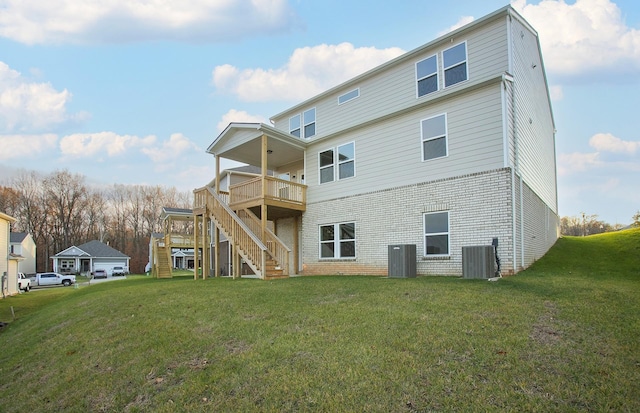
[[86, 258]]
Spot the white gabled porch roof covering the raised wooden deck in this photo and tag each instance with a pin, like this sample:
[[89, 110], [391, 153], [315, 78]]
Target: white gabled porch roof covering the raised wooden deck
[[242, 142]]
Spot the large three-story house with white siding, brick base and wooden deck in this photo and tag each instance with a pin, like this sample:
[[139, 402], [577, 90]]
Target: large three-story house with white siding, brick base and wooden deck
[[448, 146]]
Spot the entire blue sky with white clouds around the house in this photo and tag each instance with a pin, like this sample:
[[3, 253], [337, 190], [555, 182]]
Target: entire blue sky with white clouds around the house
[[134, 91]]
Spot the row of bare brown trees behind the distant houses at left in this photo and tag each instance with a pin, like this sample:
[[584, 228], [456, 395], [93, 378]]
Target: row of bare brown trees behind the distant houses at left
[[60, 210]]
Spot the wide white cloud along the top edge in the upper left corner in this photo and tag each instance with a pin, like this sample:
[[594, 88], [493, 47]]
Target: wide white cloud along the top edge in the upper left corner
[[117, 21]]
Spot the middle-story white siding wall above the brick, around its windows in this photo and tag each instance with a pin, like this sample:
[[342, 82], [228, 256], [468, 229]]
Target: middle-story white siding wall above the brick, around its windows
[[388, 154]]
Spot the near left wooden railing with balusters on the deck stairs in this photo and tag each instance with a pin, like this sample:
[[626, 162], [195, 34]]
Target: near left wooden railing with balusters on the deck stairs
[[248, 245]]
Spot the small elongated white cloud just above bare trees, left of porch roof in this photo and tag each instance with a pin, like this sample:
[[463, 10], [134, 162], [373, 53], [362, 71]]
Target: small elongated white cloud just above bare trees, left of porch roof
[[86, 145]]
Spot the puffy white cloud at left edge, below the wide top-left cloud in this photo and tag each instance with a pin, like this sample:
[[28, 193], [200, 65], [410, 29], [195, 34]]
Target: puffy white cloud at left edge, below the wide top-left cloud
[[27, 106]]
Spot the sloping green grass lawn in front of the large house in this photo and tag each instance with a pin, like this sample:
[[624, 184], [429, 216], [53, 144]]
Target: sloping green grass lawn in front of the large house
[[561, 336]]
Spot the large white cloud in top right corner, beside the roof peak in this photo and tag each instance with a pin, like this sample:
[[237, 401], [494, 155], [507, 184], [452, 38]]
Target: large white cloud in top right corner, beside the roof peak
[[584, 37]]
